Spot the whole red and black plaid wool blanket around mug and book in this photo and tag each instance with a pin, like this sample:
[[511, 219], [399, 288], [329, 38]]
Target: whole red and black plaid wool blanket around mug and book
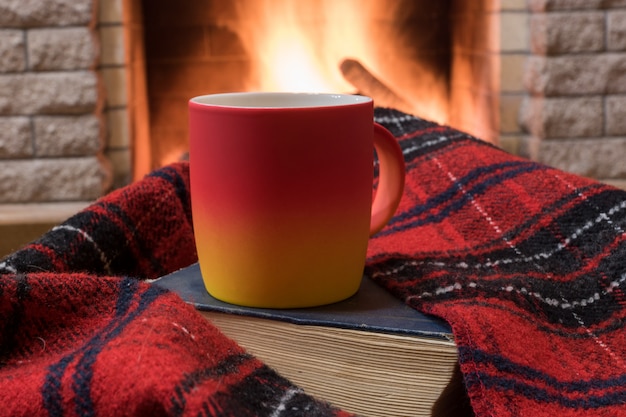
[[524, 261]]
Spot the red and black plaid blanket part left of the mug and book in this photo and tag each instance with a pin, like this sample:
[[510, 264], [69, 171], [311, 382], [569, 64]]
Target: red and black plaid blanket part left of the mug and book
[[81, 336]]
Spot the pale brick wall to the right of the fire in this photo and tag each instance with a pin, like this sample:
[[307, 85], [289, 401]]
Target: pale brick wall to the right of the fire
[[575, 76]]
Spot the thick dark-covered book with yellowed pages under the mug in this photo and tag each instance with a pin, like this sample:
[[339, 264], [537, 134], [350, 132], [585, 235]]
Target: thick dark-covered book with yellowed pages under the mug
[[370, 354]]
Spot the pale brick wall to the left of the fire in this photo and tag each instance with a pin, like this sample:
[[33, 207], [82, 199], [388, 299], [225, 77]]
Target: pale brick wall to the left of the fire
[[51, 126]]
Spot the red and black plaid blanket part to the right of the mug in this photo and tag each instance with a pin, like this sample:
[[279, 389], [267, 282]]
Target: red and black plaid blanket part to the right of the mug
[[527, 263]]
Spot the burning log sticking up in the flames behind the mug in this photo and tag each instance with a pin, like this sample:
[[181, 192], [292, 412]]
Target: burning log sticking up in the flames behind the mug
[[367, 84]]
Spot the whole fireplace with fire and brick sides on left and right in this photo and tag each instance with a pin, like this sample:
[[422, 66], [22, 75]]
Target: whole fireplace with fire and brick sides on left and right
[[94, 92]]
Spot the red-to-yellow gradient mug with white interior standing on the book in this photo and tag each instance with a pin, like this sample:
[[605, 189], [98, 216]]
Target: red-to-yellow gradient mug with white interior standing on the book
[[281, 194]]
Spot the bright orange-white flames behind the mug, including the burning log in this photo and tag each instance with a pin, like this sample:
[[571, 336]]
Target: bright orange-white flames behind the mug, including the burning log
[[299, 45]]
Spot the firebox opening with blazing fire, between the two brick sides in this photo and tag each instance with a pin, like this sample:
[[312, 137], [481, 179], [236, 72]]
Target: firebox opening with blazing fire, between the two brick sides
[[402, 53]]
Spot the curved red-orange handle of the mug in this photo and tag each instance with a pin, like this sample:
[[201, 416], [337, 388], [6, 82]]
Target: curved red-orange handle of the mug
[[391, 178]]
